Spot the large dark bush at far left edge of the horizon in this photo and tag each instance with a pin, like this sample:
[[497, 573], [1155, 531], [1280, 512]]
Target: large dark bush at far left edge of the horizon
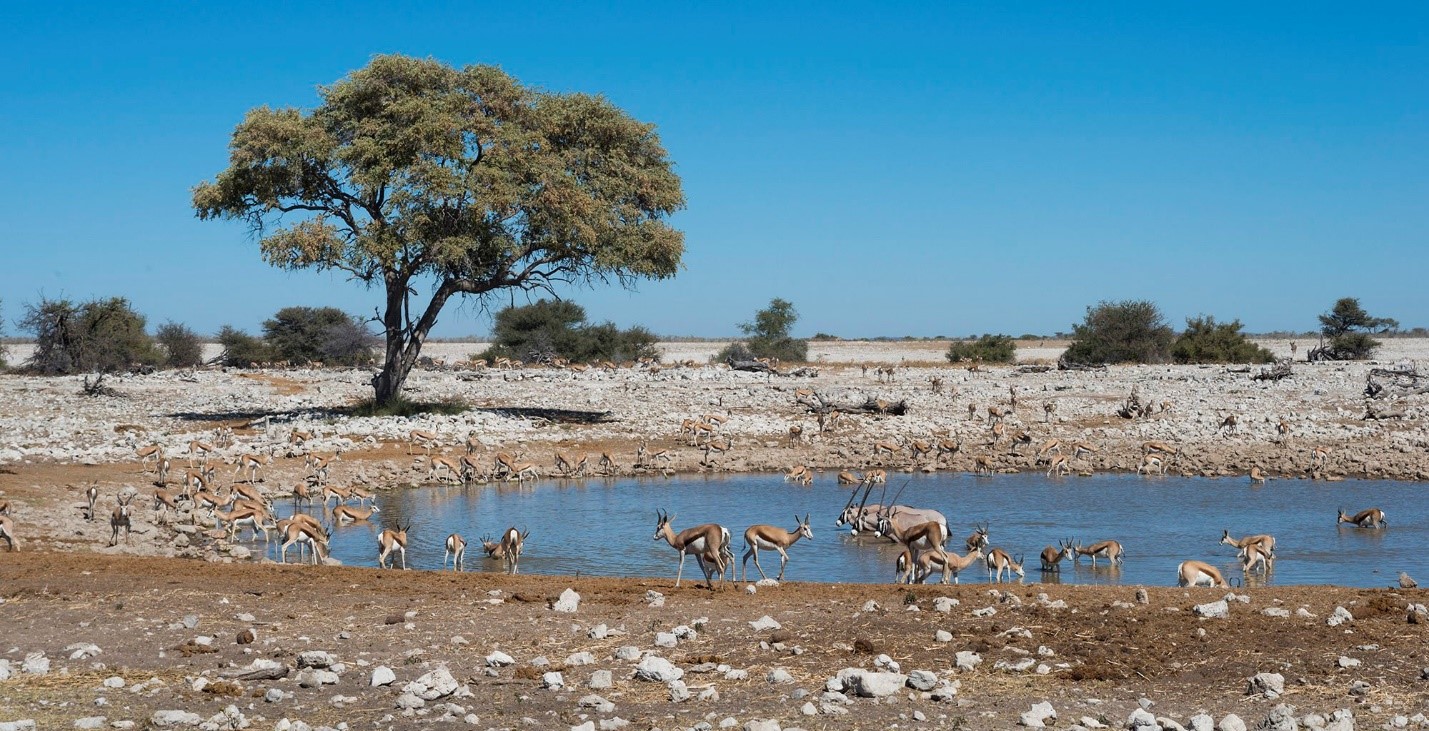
[[96, 336]]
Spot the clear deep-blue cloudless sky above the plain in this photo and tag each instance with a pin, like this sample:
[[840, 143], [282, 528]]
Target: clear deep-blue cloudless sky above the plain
[[895, 171]]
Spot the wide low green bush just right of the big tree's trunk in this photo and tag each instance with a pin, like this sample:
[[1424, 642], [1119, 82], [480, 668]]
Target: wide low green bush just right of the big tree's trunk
[[551, 329]]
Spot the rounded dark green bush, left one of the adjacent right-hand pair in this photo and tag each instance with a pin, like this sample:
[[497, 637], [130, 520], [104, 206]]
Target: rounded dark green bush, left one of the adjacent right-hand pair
[[1125, 332]]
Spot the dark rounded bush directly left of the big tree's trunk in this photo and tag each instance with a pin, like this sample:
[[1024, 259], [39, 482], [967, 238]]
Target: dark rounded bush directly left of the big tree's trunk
[[328, 335]]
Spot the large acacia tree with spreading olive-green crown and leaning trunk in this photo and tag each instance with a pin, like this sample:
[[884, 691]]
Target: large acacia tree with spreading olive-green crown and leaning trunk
[[417, 178]]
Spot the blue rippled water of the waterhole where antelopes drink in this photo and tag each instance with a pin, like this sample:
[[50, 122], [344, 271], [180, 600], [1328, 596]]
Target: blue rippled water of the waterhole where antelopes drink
[[604, 526]]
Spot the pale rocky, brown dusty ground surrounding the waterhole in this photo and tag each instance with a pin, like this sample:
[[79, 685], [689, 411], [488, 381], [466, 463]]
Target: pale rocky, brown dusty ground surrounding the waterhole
[[95, 632]]
